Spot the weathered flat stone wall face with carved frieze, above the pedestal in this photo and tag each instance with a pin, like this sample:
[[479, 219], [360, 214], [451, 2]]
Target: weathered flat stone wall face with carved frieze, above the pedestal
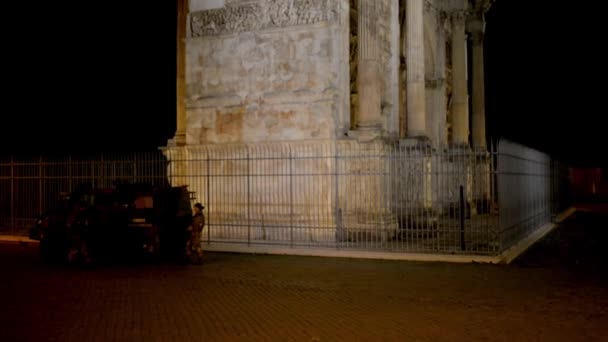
[[263, 71]]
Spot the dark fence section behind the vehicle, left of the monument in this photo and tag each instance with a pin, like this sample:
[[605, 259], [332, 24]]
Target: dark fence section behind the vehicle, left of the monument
[[29, 186]]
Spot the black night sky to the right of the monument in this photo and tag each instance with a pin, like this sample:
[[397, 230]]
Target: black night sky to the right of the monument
[[544, 70]]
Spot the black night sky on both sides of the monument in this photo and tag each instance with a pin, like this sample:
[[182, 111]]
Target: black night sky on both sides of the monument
[[100, 77]]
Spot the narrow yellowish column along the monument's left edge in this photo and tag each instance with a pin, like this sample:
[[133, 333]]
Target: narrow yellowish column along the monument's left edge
[[182, 18]]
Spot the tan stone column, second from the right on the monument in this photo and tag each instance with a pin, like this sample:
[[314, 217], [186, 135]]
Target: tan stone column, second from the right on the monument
[[460, 103]]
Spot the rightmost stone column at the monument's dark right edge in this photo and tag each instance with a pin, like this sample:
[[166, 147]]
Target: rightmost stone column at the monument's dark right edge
[[476, 28]]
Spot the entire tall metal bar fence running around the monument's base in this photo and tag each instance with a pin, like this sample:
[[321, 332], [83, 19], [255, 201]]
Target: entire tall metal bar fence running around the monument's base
[[340, 195]]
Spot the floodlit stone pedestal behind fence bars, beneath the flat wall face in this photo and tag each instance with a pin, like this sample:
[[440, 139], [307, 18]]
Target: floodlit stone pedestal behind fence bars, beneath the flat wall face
[[289, 193]]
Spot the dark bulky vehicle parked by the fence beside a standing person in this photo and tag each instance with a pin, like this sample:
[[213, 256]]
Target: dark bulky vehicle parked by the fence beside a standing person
[[127, 220]]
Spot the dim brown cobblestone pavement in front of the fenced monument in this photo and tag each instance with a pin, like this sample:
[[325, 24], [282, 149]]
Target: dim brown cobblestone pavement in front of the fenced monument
[[240, 297]]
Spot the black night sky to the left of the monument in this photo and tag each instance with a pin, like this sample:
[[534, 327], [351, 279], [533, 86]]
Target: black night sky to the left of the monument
[[98, 76]]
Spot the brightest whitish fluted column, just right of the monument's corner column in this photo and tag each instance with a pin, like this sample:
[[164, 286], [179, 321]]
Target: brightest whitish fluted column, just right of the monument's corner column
[[416, 101]]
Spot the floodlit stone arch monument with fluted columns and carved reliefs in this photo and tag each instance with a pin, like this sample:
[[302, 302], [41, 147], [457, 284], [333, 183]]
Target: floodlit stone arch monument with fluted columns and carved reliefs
[[279, 80]]
